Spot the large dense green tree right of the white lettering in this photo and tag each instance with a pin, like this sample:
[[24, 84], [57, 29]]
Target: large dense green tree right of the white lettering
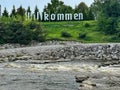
[[108, 15]]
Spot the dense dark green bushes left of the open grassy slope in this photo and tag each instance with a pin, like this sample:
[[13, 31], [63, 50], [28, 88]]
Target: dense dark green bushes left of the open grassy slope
[[23, 32]]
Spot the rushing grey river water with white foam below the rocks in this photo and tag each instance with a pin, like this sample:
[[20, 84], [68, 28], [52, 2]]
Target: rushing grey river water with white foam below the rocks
[[28, 75]]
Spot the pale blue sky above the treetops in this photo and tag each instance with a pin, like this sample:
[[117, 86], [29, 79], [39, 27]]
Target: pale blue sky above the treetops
[[40, 3]]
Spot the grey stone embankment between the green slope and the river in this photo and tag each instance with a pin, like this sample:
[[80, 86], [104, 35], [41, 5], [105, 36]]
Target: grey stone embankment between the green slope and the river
[[62, 52]]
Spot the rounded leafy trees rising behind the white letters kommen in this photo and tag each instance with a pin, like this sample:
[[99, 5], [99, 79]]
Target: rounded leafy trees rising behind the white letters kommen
[[57, 6]]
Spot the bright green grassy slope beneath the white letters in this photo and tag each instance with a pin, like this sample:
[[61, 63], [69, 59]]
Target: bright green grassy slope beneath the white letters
[[54, 30]]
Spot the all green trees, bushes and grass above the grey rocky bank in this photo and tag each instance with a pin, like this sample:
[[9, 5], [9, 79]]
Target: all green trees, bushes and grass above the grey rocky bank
[[18, 28]]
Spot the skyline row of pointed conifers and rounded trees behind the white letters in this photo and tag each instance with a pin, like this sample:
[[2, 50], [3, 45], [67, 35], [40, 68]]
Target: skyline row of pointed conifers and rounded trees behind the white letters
[[55, 6]]
